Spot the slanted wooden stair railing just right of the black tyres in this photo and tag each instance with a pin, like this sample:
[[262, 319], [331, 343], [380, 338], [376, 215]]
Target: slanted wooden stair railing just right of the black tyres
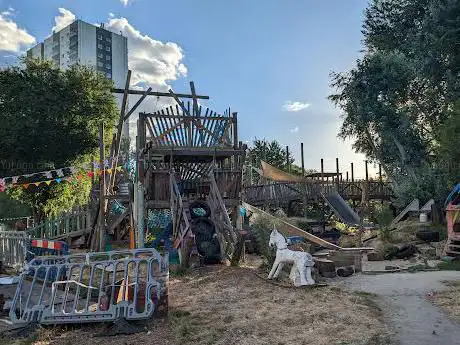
[[224, 228]]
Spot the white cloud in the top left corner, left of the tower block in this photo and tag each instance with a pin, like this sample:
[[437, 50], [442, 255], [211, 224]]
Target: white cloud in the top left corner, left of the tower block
[[12, 37]]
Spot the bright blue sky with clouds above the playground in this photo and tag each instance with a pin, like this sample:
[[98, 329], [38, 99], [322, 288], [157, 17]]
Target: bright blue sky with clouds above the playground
[[253, 56]]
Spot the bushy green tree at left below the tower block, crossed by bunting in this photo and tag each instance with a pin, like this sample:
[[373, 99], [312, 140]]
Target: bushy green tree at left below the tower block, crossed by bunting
[[51, 118]]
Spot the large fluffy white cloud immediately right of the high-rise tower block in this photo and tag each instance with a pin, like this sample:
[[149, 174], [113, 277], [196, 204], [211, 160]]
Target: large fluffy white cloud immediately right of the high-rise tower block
[[152, 62]]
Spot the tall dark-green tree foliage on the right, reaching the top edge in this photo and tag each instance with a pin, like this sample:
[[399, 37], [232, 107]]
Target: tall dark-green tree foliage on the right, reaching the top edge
[[398, 101]]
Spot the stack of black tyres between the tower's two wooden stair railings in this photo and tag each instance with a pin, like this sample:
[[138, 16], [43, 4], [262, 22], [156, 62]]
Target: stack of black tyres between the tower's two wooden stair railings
[[204, 229]]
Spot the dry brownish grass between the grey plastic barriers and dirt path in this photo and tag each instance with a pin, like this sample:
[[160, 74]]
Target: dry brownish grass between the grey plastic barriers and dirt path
[[227, 305]]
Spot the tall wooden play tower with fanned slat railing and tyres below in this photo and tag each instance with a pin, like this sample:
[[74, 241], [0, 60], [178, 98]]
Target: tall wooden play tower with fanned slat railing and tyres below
[[186, 156]]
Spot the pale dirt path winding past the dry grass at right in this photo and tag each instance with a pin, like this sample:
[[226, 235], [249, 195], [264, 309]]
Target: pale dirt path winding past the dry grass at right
[[414, 320]]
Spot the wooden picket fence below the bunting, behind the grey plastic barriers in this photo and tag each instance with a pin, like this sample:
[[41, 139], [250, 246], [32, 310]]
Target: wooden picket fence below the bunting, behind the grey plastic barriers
[[71, 224]]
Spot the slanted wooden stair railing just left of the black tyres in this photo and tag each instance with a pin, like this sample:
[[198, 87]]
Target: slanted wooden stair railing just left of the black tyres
[[180, 221]]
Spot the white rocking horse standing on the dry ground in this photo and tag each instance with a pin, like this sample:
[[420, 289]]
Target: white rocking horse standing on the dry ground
[[302, 262]]
